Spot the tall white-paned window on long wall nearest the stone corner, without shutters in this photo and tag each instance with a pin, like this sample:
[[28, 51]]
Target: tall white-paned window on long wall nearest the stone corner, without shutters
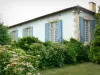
[[53, 31]]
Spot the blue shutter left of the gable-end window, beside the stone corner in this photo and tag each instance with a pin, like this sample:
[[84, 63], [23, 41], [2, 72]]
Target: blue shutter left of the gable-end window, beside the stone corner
[[81, 21]]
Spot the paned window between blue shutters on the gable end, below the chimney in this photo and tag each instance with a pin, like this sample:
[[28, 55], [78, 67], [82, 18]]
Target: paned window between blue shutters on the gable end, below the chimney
[[86, 30]]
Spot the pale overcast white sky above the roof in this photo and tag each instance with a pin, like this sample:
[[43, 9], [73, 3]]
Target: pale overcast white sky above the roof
[[17, 11]]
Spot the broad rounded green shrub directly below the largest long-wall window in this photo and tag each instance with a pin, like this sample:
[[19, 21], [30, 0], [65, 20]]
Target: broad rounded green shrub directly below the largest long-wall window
[[56, 55]]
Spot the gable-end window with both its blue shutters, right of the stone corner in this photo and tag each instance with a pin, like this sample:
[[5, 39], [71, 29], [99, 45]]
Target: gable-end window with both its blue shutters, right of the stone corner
[[86, 29]]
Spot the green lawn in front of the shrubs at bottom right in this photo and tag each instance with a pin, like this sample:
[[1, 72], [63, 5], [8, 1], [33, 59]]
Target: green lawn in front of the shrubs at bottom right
[[79, 69]]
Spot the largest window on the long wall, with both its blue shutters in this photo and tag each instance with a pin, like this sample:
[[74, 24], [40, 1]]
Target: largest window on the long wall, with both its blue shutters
[[53, 31]]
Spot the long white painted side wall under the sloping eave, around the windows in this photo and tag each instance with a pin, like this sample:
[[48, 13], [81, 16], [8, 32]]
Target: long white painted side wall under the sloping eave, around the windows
[[39, 25]]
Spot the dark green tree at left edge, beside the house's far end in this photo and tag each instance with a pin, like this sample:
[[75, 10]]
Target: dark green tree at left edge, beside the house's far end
[[4, 36]]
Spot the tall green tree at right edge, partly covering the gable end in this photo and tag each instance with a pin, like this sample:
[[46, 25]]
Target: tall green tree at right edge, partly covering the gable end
[[94, 54]]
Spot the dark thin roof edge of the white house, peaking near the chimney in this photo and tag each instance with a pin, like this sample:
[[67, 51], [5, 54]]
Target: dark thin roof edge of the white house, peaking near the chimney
[[66, 9]]
